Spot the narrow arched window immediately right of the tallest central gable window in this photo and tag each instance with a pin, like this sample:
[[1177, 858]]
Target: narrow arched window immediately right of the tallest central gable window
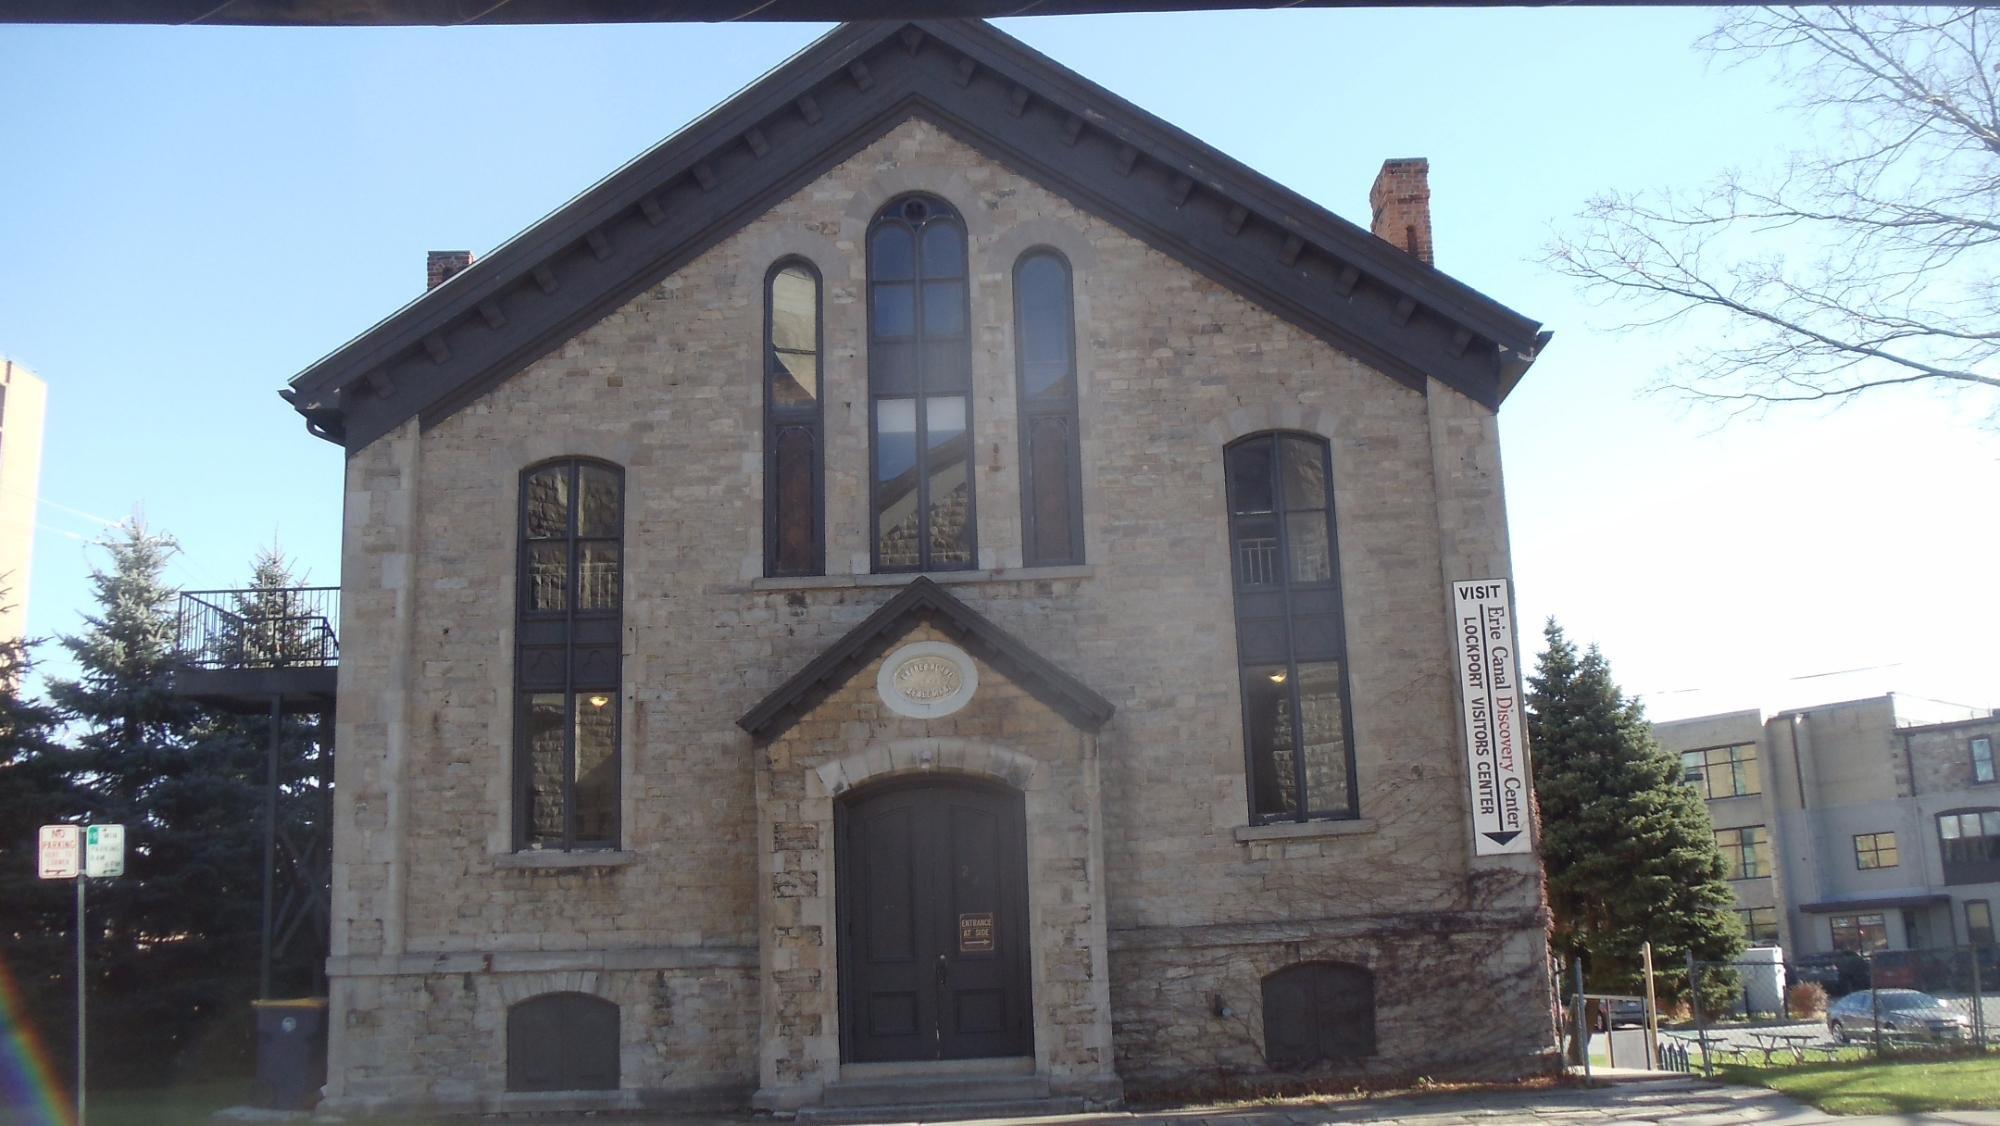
[[1051, 461]]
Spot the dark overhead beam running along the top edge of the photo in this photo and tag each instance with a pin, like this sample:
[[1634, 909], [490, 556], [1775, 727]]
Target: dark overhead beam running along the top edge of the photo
[[457, 13]]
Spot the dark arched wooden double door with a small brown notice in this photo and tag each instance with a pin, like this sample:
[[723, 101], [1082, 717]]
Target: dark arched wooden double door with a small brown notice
[[933, 913]]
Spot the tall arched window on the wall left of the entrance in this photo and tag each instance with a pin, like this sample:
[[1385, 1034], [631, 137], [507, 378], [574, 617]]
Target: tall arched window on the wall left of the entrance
[[567, 637]]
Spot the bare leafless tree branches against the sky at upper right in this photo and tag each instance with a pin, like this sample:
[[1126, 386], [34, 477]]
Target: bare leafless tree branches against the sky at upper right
[[1863, 263]]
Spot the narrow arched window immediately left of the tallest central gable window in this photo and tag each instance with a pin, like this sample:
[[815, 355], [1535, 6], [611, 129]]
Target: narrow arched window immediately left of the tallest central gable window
[[793, 457]]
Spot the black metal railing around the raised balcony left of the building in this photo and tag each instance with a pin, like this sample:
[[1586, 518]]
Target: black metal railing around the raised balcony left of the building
[[259, 627]]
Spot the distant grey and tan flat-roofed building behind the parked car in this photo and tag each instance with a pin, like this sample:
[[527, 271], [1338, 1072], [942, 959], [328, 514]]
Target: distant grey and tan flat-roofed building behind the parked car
[[1863, 825]]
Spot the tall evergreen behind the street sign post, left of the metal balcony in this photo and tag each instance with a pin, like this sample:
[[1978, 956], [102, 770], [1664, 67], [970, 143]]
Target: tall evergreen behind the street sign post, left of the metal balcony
[[175, 935]]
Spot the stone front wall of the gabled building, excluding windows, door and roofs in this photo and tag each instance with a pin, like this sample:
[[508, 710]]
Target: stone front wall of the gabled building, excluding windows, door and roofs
[[1155, 907]]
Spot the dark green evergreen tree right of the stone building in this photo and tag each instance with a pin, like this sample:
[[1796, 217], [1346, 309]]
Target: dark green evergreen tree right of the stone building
[[1629, 849]]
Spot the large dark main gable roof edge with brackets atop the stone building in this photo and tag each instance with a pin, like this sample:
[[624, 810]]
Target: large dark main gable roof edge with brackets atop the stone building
[[663, 209]]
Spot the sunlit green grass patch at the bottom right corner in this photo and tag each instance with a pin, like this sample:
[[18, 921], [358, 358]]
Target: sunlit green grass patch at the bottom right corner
[[1869, 1087]]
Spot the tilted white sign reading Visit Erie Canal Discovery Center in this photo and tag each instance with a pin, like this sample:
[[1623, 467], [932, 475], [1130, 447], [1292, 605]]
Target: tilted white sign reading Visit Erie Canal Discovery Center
[[1489, 685]]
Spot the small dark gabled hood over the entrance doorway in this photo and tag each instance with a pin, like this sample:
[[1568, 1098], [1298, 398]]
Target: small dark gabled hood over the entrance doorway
[[925, 601]]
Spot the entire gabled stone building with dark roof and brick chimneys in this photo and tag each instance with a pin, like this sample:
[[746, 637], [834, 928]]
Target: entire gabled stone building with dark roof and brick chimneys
[[927, 585]]
